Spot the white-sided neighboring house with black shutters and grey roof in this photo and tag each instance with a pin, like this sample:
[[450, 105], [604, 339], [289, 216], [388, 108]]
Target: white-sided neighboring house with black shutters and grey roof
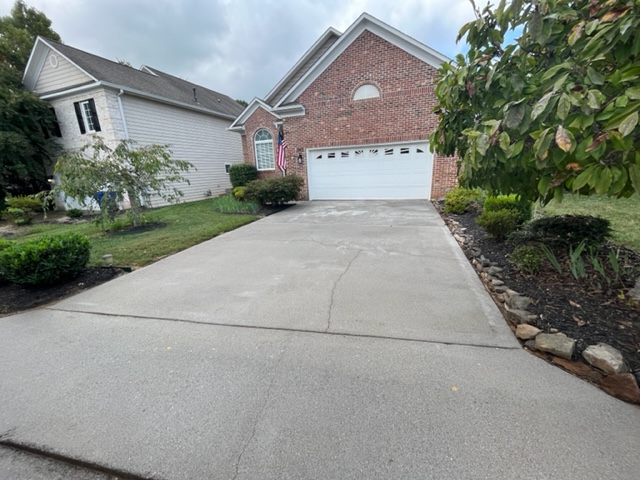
[[95, 96]]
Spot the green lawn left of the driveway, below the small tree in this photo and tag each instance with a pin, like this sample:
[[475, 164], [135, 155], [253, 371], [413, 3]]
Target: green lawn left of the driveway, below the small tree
[[187, 224]]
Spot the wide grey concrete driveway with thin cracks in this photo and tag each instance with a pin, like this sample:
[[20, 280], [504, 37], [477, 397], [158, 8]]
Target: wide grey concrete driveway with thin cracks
[[332, 340]]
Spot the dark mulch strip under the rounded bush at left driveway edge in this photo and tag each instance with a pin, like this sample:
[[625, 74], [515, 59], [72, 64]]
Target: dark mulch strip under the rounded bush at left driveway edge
[[14, 298]]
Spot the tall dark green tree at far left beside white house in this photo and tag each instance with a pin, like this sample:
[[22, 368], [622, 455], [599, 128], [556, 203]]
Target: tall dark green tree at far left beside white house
[[24, 118]]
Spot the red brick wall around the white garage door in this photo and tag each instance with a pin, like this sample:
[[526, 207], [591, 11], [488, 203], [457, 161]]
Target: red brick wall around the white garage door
[[402, 113]]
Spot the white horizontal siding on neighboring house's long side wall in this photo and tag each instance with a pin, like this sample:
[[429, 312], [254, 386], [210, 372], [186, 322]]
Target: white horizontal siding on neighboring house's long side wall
[[200, 139]]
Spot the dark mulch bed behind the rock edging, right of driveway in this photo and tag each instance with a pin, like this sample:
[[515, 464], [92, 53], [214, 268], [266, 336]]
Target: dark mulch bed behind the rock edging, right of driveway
[[563, 303]]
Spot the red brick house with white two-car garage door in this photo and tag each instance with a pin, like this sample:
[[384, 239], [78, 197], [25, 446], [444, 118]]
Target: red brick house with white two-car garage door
[[356, 112]]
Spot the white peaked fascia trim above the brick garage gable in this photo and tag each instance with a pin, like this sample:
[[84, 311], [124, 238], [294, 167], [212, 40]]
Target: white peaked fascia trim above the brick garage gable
[[375, 26]]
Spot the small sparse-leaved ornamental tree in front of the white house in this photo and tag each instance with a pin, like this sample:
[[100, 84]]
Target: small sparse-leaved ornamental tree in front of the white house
[[126, 172]]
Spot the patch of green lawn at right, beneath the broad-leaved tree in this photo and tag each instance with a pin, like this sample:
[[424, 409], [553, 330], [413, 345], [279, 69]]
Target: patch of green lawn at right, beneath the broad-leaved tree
[[623, 213]]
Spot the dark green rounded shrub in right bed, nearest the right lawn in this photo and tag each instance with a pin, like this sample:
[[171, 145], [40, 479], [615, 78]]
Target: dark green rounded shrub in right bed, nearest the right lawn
[[570, 230]]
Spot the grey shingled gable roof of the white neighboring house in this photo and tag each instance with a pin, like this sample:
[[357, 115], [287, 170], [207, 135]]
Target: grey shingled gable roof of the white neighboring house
[[147, 81]]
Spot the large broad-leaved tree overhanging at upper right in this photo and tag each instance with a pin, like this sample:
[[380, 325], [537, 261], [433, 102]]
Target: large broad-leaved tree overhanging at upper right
[[555, 111]]
